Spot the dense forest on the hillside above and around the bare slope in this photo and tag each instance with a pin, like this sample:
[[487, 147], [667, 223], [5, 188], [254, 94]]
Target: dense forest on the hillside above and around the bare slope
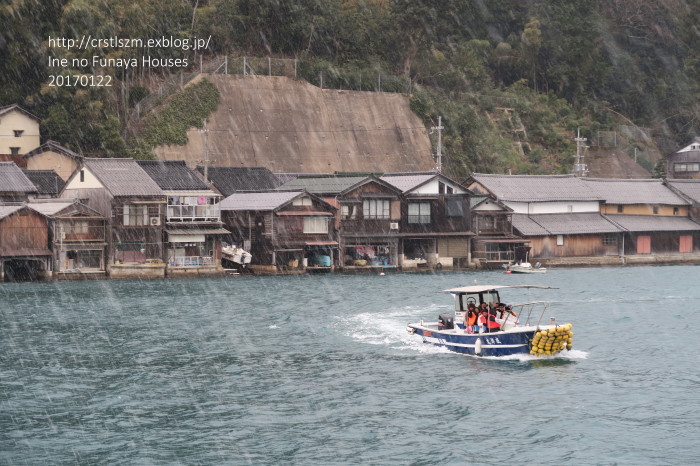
[[559, 65]]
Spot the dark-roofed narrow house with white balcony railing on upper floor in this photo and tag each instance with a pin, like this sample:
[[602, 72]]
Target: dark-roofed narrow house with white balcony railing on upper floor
[[193, 225]]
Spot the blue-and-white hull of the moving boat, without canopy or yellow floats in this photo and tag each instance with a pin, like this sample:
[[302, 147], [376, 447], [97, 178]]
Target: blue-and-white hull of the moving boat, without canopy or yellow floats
[[480, 344]]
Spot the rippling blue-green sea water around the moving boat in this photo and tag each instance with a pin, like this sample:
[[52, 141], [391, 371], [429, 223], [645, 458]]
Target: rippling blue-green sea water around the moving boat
[[320, 370]]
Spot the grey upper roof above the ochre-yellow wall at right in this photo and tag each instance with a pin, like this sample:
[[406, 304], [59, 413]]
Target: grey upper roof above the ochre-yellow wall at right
[[633, 191]]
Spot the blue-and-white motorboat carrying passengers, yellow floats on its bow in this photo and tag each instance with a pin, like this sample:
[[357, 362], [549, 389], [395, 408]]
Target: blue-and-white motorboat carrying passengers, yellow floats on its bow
[[499, 329]]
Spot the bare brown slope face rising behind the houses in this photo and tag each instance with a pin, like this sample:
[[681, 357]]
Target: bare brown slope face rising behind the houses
[[290, 125]]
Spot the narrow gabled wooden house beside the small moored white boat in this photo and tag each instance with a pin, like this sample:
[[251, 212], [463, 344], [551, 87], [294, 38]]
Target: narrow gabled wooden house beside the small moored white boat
[[495, 242]]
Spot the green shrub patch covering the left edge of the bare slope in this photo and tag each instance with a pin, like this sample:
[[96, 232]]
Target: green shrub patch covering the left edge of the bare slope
[[168, 125]]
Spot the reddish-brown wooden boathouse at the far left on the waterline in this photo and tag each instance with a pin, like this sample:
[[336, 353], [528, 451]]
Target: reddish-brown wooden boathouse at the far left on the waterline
[[24, 244]]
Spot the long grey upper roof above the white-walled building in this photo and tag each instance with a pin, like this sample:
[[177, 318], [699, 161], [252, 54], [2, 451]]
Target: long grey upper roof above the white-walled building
[[536, 188]]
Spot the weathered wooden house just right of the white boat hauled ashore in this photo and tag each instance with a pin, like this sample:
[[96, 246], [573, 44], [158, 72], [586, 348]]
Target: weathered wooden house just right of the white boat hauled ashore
[[282, 229]]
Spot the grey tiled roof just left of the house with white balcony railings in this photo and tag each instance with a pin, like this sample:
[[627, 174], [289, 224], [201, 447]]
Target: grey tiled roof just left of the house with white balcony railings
[[123, 177]]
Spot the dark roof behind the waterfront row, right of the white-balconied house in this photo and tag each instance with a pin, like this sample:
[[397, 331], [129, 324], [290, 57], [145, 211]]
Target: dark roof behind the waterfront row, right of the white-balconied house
[[229, 180]]
